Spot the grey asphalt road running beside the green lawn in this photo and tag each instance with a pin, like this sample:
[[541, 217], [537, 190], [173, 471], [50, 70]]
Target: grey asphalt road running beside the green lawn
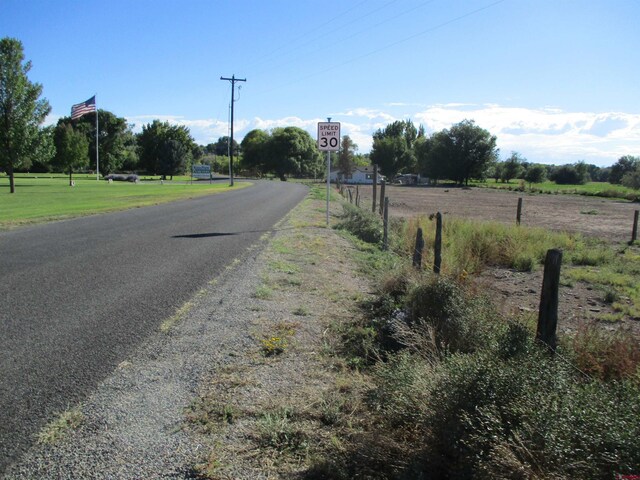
[[77, 296]]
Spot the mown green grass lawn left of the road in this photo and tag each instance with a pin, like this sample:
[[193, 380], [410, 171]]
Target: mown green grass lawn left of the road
[[47, 197]]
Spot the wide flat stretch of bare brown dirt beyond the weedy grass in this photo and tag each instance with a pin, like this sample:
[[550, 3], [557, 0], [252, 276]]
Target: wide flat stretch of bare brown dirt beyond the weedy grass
[[593, 216]]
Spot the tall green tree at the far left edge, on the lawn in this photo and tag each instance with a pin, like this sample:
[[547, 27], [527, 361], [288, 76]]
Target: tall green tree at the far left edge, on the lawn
[[21, 110]]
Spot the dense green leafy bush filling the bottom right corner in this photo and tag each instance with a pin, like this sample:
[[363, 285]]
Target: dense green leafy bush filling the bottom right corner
[[531, 417]]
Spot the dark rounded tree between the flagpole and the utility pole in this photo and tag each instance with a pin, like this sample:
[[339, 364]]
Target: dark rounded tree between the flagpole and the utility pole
[[158, 155]]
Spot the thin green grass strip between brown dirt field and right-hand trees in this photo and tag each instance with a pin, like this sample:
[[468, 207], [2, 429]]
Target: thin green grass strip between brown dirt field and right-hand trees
[[596, 189]]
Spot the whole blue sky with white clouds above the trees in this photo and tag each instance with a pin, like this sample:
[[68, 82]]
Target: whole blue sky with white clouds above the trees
[[556, 80]]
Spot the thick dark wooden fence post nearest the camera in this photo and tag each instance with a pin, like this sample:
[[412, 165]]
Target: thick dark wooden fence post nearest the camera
[[548, 312]]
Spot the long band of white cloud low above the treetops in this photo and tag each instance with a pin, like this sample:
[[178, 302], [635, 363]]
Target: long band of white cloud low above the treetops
[[546, 134]]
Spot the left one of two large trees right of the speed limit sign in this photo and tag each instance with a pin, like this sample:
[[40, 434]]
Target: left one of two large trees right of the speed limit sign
[[392, 148]]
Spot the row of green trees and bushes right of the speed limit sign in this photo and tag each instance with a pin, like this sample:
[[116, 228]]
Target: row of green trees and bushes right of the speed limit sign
[[466, 151]]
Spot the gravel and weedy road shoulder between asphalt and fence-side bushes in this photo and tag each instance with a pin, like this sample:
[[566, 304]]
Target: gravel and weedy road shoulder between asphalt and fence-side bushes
[[195, 400]]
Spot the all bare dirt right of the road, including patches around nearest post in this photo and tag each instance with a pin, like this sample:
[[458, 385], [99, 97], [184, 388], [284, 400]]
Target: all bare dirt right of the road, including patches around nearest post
[[519, 292]]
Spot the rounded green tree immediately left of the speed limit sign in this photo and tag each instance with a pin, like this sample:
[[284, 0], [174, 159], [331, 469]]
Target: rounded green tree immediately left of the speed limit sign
[[292, 151]]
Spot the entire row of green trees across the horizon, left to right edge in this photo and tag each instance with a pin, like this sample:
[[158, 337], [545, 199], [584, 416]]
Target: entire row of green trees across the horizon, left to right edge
[[460, 153]]
